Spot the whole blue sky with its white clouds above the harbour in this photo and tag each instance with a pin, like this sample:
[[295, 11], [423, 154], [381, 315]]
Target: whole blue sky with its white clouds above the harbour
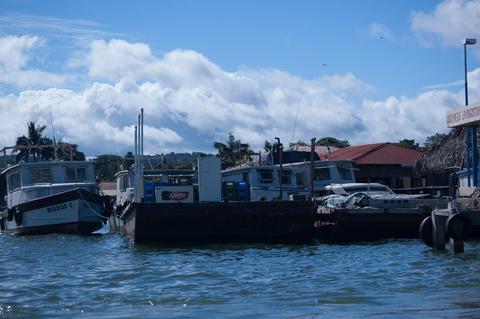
[[366, 71]]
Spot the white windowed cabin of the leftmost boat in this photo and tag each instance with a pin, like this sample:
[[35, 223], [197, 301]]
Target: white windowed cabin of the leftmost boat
[[28, 181]]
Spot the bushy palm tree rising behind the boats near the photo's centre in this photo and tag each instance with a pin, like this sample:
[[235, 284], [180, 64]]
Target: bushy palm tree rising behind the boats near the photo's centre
[[233, 152]]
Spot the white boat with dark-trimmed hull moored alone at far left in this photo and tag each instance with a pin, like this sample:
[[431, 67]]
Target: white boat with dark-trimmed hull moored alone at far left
[[52, 197]]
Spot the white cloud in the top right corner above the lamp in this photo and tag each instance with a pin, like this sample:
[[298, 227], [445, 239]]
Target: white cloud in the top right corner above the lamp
[[451, 22]]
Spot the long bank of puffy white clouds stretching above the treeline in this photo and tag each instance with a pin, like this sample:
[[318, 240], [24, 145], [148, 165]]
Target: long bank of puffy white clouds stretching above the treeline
[[189, 102]]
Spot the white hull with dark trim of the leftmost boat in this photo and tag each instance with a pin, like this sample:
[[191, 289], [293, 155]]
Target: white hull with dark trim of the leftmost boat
[[73, 212]]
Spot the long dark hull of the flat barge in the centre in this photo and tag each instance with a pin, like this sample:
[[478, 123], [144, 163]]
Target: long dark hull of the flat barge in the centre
[[218, 222]]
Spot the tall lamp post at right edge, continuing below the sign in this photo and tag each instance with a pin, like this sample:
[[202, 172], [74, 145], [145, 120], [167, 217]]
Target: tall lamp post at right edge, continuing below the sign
[[471, 133]]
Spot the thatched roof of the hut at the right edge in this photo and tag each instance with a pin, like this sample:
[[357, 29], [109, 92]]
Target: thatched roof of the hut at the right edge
[[444, 156]]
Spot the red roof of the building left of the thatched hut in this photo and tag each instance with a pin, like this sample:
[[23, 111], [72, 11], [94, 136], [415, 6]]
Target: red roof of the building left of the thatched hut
[[378, 153]]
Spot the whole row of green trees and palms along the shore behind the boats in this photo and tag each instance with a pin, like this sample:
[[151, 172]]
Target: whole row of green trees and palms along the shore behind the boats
[[233, 152]]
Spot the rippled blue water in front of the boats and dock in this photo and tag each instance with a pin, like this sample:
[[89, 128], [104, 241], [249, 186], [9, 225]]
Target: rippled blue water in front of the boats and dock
[[106, 276]]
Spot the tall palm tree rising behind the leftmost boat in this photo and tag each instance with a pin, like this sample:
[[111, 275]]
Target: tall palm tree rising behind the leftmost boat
[[28, 145]]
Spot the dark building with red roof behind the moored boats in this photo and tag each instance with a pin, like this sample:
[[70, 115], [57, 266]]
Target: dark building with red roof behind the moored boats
[[386, 163]]
